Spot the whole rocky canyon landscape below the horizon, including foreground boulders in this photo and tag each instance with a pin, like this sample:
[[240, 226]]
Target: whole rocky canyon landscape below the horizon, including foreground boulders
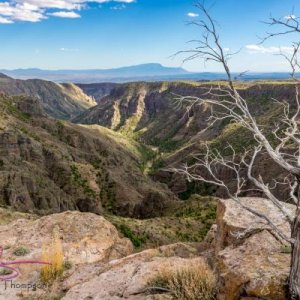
[[94, 161]]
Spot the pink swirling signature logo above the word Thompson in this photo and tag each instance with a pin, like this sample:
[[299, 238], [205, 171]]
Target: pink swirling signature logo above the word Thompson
[[9, 266]]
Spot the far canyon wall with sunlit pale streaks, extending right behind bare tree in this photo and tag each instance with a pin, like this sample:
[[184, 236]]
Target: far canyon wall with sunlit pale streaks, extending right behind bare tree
[[151, 113]]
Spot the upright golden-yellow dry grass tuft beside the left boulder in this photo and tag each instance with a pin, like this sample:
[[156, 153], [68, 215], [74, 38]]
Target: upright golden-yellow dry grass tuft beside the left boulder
[[52, 253]]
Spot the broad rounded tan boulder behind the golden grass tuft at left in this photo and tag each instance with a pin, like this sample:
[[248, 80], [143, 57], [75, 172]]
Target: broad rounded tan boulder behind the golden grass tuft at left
[[85, 237]]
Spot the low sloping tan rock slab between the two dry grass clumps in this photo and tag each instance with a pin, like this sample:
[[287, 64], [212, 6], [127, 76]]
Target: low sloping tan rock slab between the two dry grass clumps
[[128, 277]]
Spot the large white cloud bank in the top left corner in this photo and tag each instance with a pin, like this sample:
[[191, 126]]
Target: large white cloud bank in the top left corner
[[37, 10]]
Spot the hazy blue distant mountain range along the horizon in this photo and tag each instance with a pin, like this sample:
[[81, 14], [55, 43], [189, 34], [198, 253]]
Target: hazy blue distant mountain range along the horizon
[[144, 72]]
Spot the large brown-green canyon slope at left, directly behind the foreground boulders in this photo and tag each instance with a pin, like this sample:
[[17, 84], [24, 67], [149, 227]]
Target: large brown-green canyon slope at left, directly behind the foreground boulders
[[50, 166]]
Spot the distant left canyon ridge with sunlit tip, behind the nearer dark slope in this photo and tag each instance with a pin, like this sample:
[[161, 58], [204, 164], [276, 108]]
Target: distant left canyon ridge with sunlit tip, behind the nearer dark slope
[[62, 101]]
